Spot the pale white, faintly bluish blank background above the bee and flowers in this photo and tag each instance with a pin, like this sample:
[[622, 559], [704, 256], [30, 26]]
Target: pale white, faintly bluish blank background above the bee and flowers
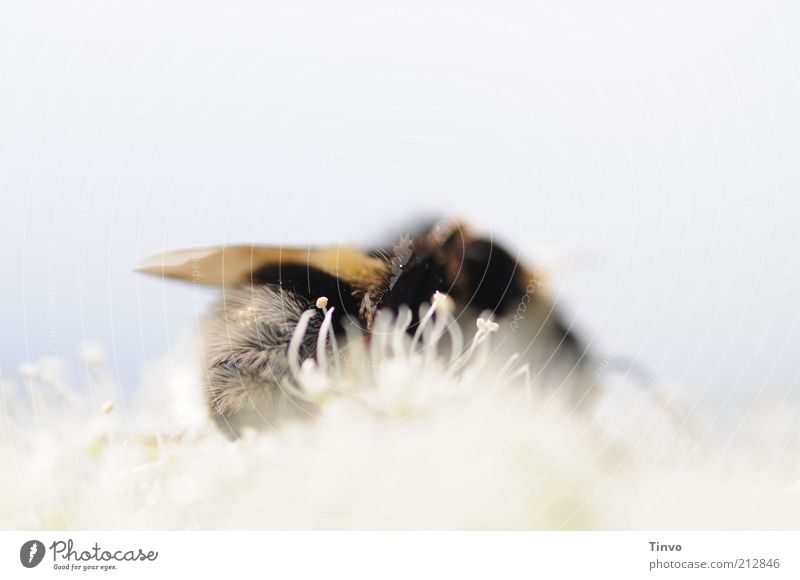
[[655, 147]]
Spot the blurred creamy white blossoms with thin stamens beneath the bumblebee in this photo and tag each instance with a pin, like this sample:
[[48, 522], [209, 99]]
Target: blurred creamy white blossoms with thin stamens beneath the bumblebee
[[404, 435]]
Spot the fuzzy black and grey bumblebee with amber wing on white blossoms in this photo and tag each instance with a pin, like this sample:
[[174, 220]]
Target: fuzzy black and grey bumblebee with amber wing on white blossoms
[[246, 336]]
